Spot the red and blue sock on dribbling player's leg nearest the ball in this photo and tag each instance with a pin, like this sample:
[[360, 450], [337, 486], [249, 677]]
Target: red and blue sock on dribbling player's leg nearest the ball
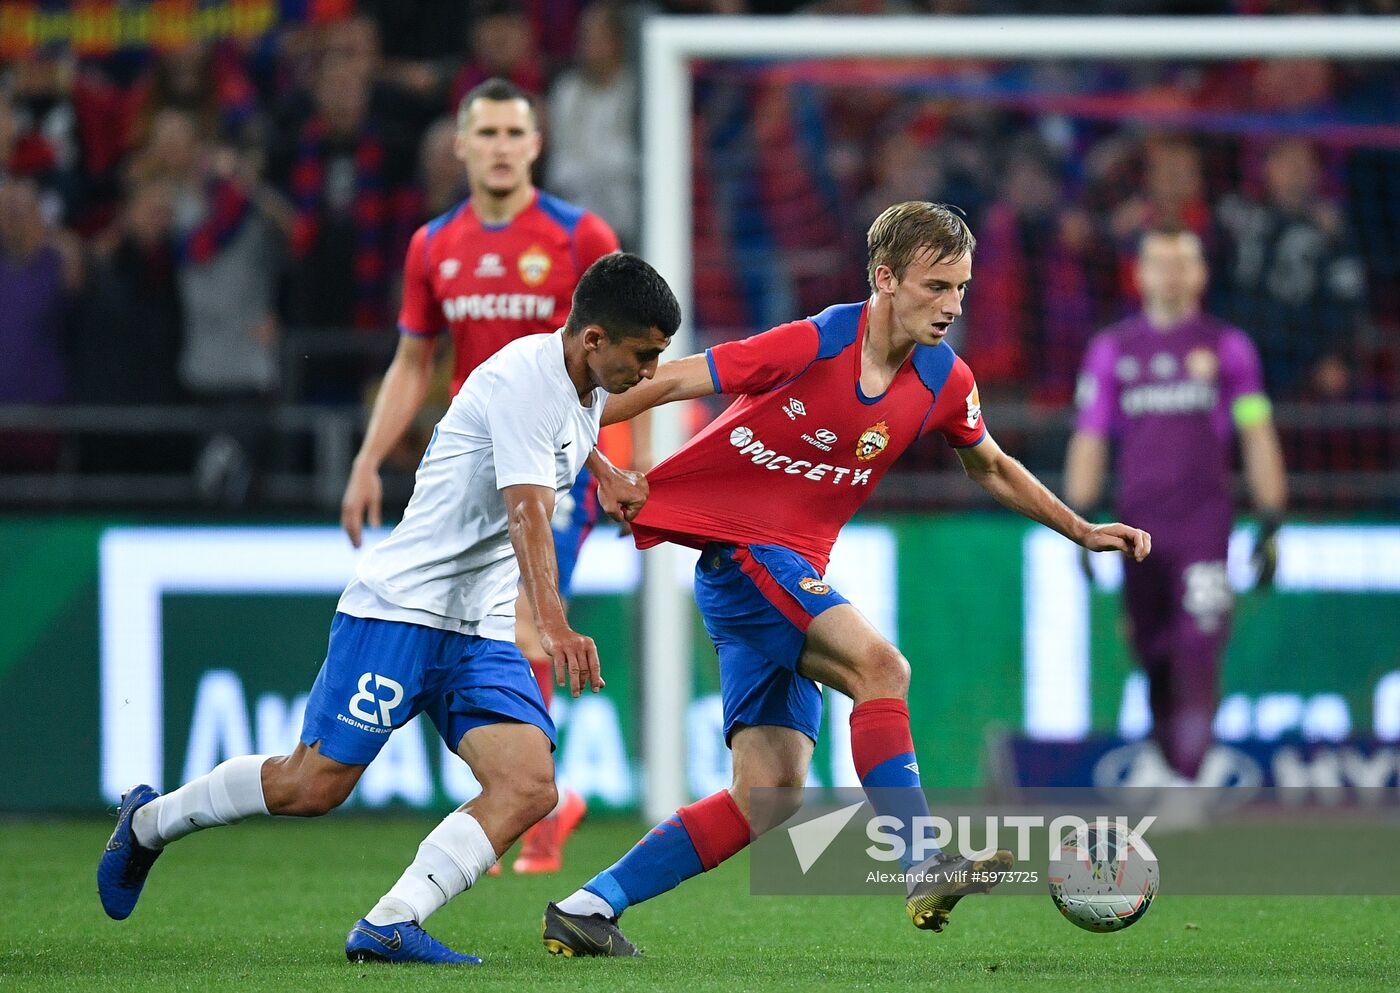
[[884, 753]]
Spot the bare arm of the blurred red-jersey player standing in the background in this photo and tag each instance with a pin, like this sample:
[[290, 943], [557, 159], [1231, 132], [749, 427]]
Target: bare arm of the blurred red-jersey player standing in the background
[[401, 397]]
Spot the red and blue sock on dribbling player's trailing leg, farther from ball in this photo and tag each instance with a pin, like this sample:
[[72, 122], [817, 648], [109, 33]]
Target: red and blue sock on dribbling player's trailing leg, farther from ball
[[692, 841]]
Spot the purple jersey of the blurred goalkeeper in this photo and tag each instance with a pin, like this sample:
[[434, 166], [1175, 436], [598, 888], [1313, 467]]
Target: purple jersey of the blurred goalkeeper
[[1165, 398]]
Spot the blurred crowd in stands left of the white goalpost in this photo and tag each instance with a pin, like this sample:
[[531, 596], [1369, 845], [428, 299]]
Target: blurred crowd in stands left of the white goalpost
[[164, 216]]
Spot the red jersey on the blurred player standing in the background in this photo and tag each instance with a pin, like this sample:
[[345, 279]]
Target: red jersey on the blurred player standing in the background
[[492, 285]]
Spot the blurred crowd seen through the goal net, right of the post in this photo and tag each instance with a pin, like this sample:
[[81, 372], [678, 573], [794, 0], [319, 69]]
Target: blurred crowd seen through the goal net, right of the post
[[1289, 170]]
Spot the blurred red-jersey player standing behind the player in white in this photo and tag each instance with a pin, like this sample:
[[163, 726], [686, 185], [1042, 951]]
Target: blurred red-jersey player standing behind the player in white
[[499, 267]]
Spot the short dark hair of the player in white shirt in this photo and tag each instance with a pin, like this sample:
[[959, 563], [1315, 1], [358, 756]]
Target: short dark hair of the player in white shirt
[[626, 298]]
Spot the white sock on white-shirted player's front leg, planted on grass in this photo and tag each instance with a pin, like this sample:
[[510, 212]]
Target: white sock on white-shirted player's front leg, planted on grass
[[450, 861]]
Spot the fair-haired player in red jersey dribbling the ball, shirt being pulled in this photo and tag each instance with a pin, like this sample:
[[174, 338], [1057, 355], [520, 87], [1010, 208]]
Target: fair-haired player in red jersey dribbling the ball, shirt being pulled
[[824, 408]]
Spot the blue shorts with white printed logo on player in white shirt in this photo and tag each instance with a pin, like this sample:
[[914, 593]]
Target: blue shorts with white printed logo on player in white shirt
[[380, 674]]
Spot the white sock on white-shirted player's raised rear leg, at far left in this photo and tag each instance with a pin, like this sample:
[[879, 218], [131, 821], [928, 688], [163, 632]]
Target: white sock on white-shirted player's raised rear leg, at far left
[[229, 795]]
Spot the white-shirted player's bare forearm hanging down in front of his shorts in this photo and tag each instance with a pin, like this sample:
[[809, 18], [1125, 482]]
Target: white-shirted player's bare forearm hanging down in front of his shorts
[[528, 509]]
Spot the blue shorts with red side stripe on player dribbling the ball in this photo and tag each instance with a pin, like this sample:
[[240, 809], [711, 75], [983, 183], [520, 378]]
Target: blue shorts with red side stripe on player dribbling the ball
[[757, 603]]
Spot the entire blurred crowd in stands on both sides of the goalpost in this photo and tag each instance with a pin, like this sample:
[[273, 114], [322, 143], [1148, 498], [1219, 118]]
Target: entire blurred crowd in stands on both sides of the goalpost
[[166, 218]]
